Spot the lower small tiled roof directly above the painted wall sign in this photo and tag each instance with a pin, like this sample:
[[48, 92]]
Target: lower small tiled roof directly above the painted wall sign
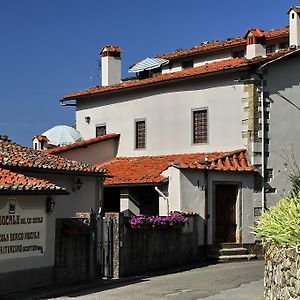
[[15, 182]]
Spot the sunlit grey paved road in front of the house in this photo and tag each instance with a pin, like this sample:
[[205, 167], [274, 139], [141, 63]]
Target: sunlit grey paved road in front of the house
[[234, 281]]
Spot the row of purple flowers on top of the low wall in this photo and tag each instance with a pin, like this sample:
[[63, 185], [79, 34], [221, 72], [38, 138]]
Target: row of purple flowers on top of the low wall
[[157, 221]]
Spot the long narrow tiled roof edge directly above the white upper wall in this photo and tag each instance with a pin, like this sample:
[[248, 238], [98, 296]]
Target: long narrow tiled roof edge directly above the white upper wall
[[233, 64]]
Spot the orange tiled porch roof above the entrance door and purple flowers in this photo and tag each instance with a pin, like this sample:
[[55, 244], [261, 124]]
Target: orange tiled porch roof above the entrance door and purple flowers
[[148, 169]]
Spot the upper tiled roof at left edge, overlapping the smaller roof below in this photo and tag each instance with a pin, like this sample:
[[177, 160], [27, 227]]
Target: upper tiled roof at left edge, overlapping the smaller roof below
[[13, 155]]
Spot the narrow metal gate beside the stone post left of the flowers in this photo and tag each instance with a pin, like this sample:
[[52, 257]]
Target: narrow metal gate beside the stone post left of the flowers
[[107, 248]]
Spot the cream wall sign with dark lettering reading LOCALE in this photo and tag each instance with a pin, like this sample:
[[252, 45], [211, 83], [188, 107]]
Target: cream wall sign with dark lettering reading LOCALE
[[22, 229]]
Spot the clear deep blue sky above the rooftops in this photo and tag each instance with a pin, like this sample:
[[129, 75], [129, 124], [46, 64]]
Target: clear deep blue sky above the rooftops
[[51, 48]]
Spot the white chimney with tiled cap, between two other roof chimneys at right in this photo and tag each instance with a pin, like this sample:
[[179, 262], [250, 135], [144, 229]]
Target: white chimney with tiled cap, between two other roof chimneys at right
[[256, 45]]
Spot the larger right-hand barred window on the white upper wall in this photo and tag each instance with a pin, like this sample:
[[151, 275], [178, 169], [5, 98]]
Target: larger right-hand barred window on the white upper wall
[[200, 126]]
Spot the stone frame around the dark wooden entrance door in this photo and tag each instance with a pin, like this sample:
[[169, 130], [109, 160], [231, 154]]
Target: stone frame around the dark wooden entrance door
[[238, 209]]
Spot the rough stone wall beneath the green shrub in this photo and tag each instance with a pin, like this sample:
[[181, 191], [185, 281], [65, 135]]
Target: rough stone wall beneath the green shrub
[[282, 275]]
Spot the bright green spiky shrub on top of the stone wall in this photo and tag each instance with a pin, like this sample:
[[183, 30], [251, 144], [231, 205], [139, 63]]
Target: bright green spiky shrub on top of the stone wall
[[280, 225]]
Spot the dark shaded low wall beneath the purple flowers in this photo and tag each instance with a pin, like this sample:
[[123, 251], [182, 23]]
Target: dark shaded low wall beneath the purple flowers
[[145, 250]]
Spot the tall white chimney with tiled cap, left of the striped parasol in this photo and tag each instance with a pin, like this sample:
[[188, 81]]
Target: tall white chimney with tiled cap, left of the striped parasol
[[111, 65]]
